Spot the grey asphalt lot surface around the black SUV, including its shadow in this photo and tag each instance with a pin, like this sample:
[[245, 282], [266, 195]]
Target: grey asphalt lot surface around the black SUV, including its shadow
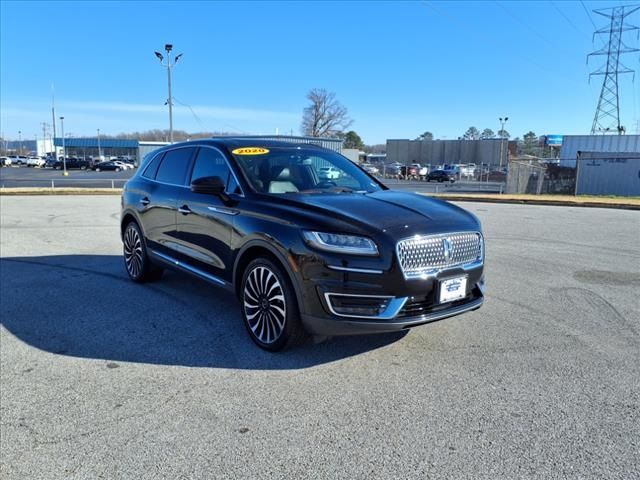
[[102, 378]]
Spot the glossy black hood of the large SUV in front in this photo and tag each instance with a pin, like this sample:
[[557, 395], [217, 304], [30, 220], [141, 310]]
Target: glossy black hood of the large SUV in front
[[387, 210]]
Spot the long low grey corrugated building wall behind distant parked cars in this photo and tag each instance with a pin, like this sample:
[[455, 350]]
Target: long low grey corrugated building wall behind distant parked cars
[[437, 152]]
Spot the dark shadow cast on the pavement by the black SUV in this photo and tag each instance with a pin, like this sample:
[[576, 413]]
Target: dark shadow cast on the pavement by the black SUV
[[85, 306]]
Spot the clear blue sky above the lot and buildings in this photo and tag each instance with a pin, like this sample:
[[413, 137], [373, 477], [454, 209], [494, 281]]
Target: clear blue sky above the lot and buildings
[[399, 67]]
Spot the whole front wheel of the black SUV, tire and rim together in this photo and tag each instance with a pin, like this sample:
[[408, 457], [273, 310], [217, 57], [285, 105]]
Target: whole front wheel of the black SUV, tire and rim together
[[269, 306]]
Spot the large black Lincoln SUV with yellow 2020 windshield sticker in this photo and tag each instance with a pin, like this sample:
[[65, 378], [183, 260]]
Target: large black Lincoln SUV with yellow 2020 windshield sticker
[[304, 254]]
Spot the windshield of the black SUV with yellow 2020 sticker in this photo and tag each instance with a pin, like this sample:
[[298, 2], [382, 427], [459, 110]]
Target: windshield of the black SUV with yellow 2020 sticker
[[280, 170]]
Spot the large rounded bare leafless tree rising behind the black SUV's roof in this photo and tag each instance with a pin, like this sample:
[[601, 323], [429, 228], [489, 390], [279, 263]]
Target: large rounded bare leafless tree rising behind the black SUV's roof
[[325, 116]]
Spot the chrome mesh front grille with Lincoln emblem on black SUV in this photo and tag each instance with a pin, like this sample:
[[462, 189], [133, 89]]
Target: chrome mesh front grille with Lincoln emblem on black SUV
[[427, 254]]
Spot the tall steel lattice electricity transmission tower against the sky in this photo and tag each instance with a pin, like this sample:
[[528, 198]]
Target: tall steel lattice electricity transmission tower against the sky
[[607, 118]]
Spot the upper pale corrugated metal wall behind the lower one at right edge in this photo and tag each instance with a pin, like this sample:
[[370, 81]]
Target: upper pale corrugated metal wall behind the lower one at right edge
[[572, 144]]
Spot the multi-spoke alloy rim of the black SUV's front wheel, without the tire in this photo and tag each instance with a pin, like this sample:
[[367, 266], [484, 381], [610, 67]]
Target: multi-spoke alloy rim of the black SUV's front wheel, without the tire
[[264, 305]]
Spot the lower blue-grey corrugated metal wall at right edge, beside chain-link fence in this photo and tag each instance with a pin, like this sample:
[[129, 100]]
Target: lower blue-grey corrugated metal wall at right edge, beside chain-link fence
[[608, 174]]
